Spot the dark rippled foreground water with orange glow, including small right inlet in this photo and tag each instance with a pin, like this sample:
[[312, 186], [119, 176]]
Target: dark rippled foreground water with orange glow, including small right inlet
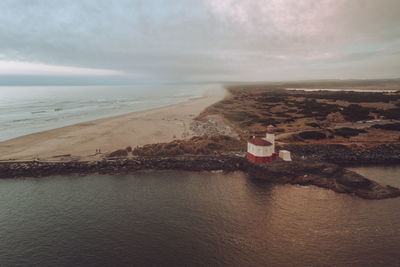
[[185, 218]]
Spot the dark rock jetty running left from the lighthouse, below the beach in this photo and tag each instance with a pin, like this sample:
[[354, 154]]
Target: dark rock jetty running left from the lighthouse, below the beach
[[120, 165]]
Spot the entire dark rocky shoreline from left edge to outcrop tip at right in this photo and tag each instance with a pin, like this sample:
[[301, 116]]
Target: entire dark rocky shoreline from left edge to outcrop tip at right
[[322, 174]]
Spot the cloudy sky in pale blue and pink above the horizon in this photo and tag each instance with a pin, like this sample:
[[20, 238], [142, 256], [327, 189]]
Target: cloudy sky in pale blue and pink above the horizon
[[199, 40]]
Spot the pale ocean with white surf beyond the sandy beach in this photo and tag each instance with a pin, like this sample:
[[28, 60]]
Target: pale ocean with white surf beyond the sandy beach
[[30, 109]]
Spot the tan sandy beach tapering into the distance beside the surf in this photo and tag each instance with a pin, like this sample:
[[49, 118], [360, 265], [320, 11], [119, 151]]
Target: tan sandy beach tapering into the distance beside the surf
[[81, 141]]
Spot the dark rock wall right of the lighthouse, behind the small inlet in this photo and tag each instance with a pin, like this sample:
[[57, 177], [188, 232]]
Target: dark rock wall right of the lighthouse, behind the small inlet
[[340, 154]]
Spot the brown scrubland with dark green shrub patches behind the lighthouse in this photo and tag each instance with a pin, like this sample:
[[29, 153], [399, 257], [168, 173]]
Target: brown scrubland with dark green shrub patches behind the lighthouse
[[321, 116]]
